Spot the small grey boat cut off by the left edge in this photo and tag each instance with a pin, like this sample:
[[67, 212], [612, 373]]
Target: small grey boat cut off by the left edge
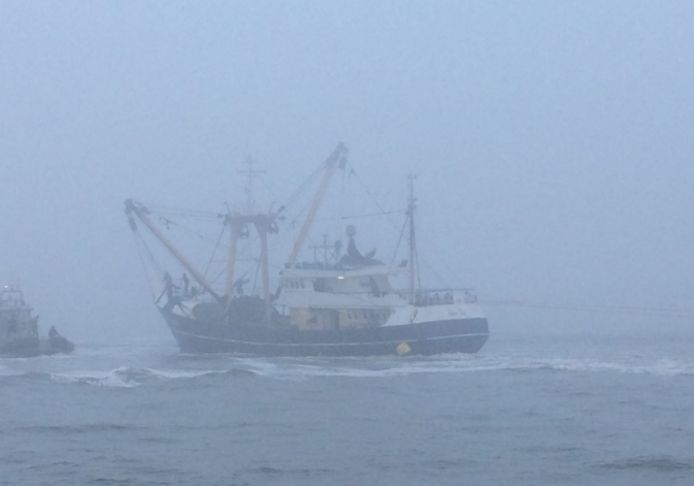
[[19, 332]]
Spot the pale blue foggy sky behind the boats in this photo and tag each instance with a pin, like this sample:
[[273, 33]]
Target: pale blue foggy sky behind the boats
[[552, 140]]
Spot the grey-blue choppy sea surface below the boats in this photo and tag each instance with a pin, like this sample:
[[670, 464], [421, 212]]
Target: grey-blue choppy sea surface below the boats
[[579, 409]]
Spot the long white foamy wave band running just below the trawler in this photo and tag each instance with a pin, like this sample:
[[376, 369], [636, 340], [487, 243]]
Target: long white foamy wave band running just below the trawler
[[300, 369]]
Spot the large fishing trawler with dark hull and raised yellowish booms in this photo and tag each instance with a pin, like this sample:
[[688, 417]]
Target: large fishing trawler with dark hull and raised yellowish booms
[[344, 304]]
